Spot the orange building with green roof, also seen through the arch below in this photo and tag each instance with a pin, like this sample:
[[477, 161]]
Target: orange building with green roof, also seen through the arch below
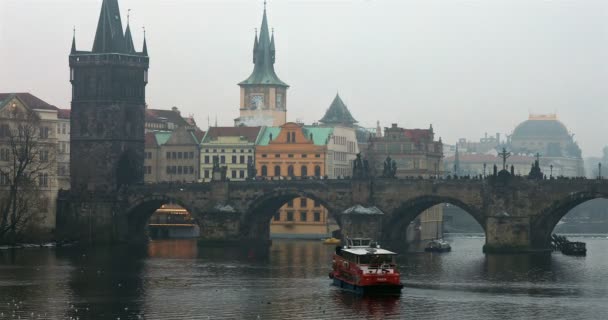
[[295, 151]]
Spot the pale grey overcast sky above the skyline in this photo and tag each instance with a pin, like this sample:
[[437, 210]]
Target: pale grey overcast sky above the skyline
[[468, 67]]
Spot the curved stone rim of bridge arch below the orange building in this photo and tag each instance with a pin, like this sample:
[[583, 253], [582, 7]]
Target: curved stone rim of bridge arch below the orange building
[[255, 222]]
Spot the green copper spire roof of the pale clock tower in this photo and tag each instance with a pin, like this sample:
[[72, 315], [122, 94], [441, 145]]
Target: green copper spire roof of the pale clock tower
[[263, 59]]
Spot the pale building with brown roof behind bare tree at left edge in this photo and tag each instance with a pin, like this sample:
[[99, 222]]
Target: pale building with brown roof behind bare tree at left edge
[[13, 108]]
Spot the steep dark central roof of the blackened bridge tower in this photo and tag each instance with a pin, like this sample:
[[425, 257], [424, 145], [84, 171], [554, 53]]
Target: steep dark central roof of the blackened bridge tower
[[109, 37]]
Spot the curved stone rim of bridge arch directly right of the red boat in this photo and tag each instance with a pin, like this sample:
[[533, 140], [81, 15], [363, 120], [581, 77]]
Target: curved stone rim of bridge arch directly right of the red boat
[[399, 219]]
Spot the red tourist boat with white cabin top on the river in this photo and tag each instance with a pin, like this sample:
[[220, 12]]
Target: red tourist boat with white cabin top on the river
[[363, 267]]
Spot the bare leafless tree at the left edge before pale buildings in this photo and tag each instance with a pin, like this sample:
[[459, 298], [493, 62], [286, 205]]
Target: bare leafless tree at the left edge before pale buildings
[[25, 165]]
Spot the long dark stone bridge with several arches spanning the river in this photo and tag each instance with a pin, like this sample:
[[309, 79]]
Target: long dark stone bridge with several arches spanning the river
[[518, 215]]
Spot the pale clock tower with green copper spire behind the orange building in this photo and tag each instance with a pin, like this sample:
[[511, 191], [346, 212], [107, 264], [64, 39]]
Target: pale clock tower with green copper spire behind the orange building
[[263, 94]]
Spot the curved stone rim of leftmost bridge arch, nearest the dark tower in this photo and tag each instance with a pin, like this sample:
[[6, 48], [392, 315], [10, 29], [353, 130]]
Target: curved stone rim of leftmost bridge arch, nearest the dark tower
[[141, 209]]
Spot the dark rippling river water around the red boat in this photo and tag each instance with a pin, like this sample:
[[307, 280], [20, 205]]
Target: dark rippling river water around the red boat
[[175, 279]]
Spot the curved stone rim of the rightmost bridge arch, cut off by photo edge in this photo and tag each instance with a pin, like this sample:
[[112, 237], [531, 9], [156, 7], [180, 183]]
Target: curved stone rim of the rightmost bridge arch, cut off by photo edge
[[544, 223]]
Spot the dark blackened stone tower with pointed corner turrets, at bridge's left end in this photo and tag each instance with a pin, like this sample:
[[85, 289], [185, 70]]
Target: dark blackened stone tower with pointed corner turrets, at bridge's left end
[[108, 107]]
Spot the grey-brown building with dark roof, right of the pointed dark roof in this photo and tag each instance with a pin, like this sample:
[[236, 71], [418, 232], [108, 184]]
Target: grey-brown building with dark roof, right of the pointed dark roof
[[417, 154]]
